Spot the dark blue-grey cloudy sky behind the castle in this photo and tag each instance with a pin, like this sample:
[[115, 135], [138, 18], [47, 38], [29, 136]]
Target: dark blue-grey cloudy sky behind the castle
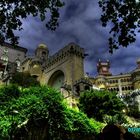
[[80, 23]]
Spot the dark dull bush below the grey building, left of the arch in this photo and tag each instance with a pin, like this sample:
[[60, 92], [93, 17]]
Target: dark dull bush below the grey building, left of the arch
[[24, 79]]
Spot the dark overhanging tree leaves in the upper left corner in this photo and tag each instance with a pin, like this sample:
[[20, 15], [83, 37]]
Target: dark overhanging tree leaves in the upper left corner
[[13, 11]]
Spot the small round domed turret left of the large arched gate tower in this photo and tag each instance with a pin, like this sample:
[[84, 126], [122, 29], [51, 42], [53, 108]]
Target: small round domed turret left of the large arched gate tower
[[42, 52]]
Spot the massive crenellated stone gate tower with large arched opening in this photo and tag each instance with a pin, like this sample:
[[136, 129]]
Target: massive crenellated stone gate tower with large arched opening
[[66, 66]]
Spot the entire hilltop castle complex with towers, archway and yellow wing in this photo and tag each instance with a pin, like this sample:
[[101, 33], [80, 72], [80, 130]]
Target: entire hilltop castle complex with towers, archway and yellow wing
[[65, 69]]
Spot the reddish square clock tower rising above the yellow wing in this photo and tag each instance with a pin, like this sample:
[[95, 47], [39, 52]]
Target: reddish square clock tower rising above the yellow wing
[[103, 68]]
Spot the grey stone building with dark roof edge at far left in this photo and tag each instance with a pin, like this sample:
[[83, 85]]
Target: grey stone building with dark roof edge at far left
[[9, 56]]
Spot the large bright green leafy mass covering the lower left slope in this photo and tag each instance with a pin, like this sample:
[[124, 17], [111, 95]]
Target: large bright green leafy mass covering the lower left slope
[[46, 105]]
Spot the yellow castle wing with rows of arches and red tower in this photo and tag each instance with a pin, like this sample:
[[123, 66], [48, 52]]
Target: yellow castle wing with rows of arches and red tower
[[121, 83]]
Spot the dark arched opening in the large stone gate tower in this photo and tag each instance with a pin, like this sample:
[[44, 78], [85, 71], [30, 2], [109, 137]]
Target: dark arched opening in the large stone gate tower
[[56, 80]]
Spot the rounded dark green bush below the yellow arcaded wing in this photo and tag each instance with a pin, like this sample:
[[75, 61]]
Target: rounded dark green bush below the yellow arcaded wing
[[97, 104]]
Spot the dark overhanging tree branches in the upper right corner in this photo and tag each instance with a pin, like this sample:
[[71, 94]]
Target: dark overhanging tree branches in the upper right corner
[[124, 16]]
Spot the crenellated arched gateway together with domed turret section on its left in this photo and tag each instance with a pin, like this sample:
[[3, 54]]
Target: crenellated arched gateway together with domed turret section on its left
[[65, 66]]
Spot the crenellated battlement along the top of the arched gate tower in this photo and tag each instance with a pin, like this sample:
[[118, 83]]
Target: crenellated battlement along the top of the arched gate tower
[[68, 50]]
